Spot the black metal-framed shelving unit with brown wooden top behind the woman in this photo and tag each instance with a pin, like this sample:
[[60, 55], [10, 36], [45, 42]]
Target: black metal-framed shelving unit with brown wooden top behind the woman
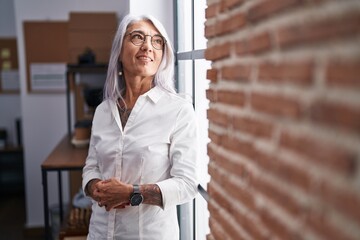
[[66, 157]]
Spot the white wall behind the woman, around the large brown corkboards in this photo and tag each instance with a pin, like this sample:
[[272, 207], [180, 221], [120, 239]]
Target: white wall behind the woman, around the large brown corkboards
[[44, 115]]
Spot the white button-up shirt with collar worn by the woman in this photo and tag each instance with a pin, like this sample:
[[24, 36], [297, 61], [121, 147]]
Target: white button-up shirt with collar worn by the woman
[[158, 145]]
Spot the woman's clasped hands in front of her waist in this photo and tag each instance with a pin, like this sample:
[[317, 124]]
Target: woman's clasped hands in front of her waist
[[110, 193]]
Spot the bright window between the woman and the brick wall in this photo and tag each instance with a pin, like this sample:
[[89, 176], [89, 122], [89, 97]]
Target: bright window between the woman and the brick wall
[[191, 69]]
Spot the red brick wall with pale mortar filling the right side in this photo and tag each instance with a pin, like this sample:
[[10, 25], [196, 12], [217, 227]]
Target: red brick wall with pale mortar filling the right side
[[284, 119]]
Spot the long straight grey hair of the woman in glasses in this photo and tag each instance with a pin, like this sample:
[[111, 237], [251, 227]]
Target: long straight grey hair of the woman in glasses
[[164, 78]]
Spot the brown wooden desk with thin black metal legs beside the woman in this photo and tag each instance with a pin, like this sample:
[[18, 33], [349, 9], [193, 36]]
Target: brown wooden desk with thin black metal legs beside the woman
[[65, 157]]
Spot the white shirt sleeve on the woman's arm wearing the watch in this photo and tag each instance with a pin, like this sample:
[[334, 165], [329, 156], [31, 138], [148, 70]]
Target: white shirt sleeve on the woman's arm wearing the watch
[[182, 186]]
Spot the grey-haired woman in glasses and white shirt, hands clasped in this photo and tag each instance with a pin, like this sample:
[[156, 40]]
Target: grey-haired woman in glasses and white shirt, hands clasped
[[143, 148]]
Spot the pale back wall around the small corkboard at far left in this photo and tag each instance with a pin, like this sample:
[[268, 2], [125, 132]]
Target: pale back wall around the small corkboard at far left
[[9, 103]]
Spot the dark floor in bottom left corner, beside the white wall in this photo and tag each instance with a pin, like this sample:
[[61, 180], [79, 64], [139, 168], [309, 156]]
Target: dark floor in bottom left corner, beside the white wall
[[12, 218]]
